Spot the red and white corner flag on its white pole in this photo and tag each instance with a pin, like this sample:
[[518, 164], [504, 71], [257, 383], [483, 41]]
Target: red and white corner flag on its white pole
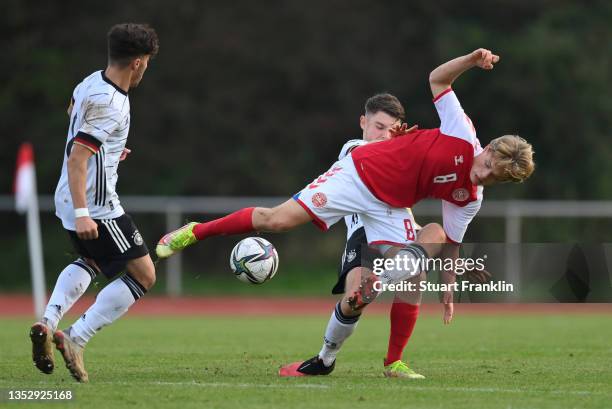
[[26, 201]]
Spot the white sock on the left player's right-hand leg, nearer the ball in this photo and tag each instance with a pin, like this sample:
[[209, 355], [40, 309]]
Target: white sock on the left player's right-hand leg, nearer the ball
[[111, 303]]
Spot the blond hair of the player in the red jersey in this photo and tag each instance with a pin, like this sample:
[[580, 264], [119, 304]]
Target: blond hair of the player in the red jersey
[[513, 158]]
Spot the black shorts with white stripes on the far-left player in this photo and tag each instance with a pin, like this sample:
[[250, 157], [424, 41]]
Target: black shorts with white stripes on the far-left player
[[118, 242]]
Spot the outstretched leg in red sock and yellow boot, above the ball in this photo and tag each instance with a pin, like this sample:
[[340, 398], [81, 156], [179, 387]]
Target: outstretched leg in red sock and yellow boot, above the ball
[[278, 219]]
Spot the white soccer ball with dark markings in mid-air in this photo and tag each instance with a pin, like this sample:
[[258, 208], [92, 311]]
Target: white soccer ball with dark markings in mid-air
[[254, 260]]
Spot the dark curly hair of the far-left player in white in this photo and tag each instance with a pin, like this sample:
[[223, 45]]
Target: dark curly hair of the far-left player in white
[[127, 41]]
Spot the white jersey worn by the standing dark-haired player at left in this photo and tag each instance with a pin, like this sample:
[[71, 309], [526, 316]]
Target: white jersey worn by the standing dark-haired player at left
[[99, 121]]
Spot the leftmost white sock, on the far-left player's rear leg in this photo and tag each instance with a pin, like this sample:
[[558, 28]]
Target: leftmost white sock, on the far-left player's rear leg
[[70, 286]]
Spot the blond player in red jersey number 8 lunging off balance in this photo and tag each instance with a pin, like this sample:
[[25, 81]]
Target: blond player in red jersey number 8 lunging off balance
[[381, 181]]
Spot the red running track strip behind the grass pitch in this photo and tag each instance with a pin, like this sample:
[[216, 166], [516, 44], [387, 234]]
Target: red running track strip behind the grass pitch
[[14, 305]]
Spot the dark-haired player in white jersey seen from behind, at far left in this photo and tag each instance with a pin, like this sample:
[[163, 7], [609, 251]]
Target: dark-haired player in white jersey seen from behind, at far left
[[103, 235]]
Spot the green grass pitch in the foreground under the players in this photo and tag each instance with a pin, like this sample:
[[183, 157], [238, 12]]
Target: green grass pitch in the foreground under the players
[[477, 362]]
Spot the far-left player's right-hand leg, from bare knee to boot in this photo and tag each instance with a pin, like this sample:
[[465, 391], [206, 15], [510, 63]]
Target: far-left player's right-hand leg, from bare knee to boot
[[111, 303]]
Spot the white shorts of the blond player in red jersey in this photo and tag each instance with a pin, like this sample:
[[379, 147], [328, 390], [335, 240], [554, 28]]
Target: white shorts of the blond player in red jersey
[[340, 192]]
